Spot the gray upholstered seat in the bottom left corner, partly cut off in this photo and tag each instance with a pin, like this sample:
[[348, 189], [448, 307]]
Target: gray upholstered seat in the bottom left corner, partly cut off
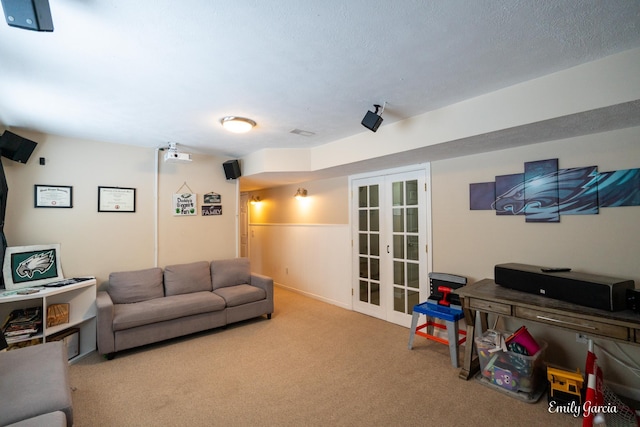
[[34, 385]]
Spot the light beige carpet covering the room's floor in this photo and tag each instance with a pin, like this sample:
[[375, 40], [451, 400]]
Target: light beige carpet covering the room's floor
[[312, 364]]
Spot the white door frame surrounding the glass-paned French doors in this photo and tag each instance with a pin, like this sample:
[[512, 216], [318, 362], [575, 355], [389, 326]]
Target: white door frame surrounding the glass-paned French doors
[[423, 167]]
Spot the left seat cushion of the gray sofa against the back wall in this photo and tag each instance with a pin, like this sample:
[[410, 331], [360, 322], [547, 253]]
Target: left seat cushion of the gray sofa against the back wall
[[128, 316]]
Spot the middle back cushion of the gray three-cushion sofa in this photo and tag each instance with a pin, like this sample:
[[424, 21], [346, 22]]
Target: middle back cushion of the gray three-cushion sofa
[[187, 278]]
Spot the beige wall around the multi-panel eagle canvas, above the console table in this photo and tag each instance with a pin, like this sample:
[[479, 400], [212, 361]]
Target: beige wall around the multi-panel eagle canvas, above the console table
[[472, 242]]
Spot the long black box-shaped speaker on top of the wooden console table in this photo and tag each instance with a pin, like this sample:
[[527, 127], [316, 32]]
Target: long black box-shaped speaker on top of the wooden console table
[[589, 290]]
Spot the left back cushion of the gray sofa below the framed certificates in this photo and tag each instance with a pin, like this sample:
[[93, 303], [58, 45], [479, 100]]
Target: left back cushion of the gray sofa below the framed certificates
[[134, 286]]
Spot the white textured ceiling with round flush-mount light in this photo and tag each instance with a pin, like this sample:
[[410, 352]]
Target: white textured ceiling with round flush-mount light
[[147, 73]]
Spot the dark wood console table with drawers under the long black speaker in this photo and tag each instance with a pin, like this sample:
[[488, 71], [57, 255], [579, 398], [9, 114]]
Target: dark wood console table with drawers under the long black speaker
[[485, 297]]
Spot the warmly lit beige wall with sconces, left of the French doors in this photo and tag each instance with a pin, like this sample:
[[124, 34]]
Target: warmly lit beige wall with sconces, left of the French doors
[[304, 244]]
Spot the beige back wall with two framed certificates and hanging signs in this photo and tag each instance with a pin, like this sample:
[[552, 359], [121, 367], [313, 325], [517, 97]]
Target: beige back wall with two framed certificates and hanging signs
[[97, 244]]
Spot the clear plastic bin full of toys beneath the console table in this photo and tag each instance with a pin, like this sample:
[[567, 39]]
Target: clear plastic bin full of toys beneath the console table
[[509, 370]]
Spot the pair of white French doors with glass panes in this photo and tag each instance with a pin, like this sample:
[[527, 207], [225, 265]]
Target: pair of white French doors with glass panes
[[389, 232]]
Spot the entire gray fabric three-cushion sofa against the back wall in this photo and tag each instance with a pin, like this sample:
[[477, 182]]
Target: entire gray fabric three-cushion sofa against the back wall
[[147, 306]]
